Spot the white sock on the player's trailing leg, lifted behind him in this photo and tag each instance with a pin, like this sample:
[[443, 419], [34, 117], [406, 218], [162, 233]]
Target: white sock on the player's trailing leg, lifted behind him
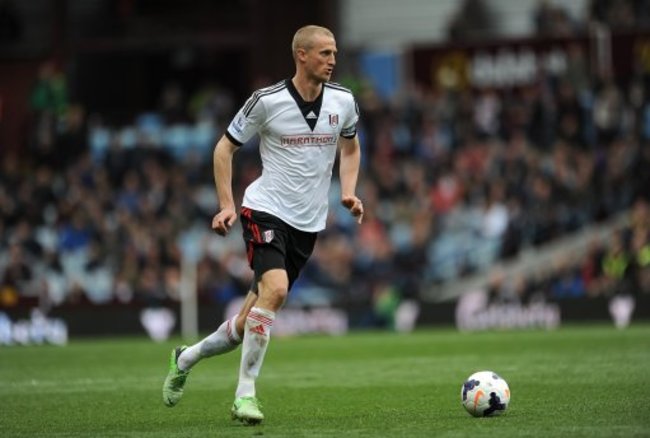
[[223, 340]]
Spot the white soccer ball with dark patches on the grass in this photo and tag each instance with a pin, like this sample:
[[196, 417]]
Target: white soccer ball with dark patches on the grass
[[485, 393]]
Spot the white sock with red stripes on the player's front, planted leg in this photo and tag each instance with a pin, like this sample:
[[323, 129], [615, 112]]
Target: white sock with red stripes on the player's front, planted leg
[[257, 335]]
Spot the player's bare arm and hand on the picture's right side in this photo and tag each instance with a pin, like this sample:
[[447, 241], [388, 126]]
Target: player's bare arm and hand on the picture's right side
[[350, 162]]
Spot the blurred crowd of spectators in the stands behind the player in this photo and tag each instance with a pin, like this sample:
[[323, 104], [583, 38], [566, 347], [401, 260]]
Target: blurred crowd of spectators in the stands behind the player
[[453, 181]]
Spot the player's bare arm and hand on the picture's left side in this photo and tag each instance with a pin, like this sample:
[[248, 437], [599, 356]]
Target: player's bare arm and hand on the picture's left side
[[222, 169]]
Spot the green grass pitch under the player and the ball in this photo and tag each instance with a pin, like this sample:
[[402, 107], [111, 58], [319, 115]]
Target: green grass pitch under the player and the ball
[[578, 381]]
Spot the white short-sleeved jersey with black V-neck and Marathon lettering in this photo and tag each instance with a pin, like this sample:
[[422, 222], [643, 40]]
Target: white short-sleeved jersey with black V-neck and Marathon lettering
[[298, 143]]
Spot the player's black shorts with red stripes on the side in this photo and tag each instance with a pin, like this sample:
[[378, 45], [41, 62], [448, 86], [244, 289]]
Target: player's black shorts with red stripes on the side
[[271, 243]]
